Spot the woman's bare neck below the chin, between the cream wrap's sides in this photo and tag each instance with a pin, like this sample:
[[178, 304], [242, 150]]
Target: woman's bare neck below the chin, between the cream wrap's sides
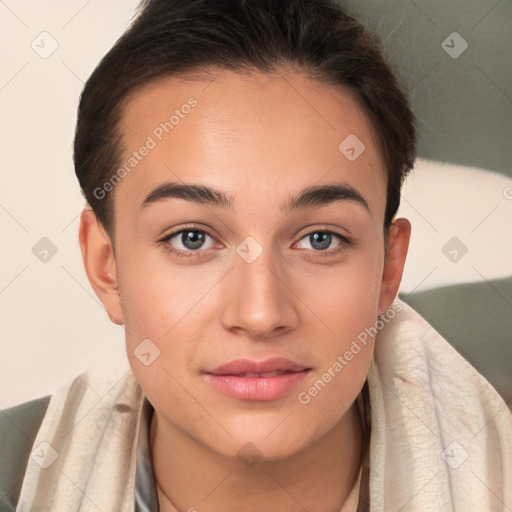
[[191, 477]]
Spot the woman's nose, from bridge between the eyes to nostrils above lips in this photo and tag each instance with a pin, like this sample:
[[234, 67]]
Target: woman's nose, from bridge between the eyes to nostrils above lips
[[260, 303]]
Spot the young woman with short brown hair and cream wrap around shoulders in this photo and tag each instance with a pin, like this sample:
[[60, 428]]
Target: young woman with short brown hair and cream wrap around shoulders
[[242, 163]]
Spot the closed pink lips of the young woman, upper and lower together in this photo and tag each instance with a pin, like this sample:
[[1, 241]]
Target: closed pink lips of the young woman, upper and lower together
[[231, 378]]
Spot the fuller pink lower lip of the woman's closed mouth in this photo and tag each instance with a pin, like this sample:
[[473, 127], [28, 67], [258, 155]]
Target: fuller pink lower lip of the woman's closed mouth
[[256, 388]]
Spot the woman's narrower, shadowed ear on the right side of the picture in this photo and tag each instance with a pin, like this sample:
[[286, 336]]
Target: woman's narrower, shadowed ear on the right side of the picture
[[394, 261]]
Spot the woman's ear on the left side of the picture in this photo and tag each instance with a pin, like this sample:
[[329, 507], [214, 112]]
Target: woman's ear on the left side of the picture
[[99, 263]]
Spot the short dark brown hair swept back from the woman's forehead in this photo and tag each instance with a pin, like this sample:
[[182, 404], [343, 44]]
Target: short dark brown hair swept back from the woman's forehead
[[173, 37]]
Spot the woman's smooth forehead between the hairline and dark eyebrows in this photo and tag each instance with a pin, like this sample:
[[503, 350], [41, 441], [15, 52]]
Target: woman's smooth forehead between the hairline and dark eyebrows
[[250, 134]]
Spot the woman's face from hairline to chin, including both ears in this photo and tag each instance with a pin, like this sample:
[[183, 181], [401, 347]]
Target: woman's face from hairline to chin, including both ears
[[248, 270]]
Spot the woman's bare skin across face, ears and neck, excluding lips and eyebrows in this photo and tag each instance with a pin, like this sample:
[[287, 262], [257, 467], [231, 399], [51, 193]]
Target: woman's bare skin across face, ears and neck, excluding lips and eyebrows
[[261, 139]]
